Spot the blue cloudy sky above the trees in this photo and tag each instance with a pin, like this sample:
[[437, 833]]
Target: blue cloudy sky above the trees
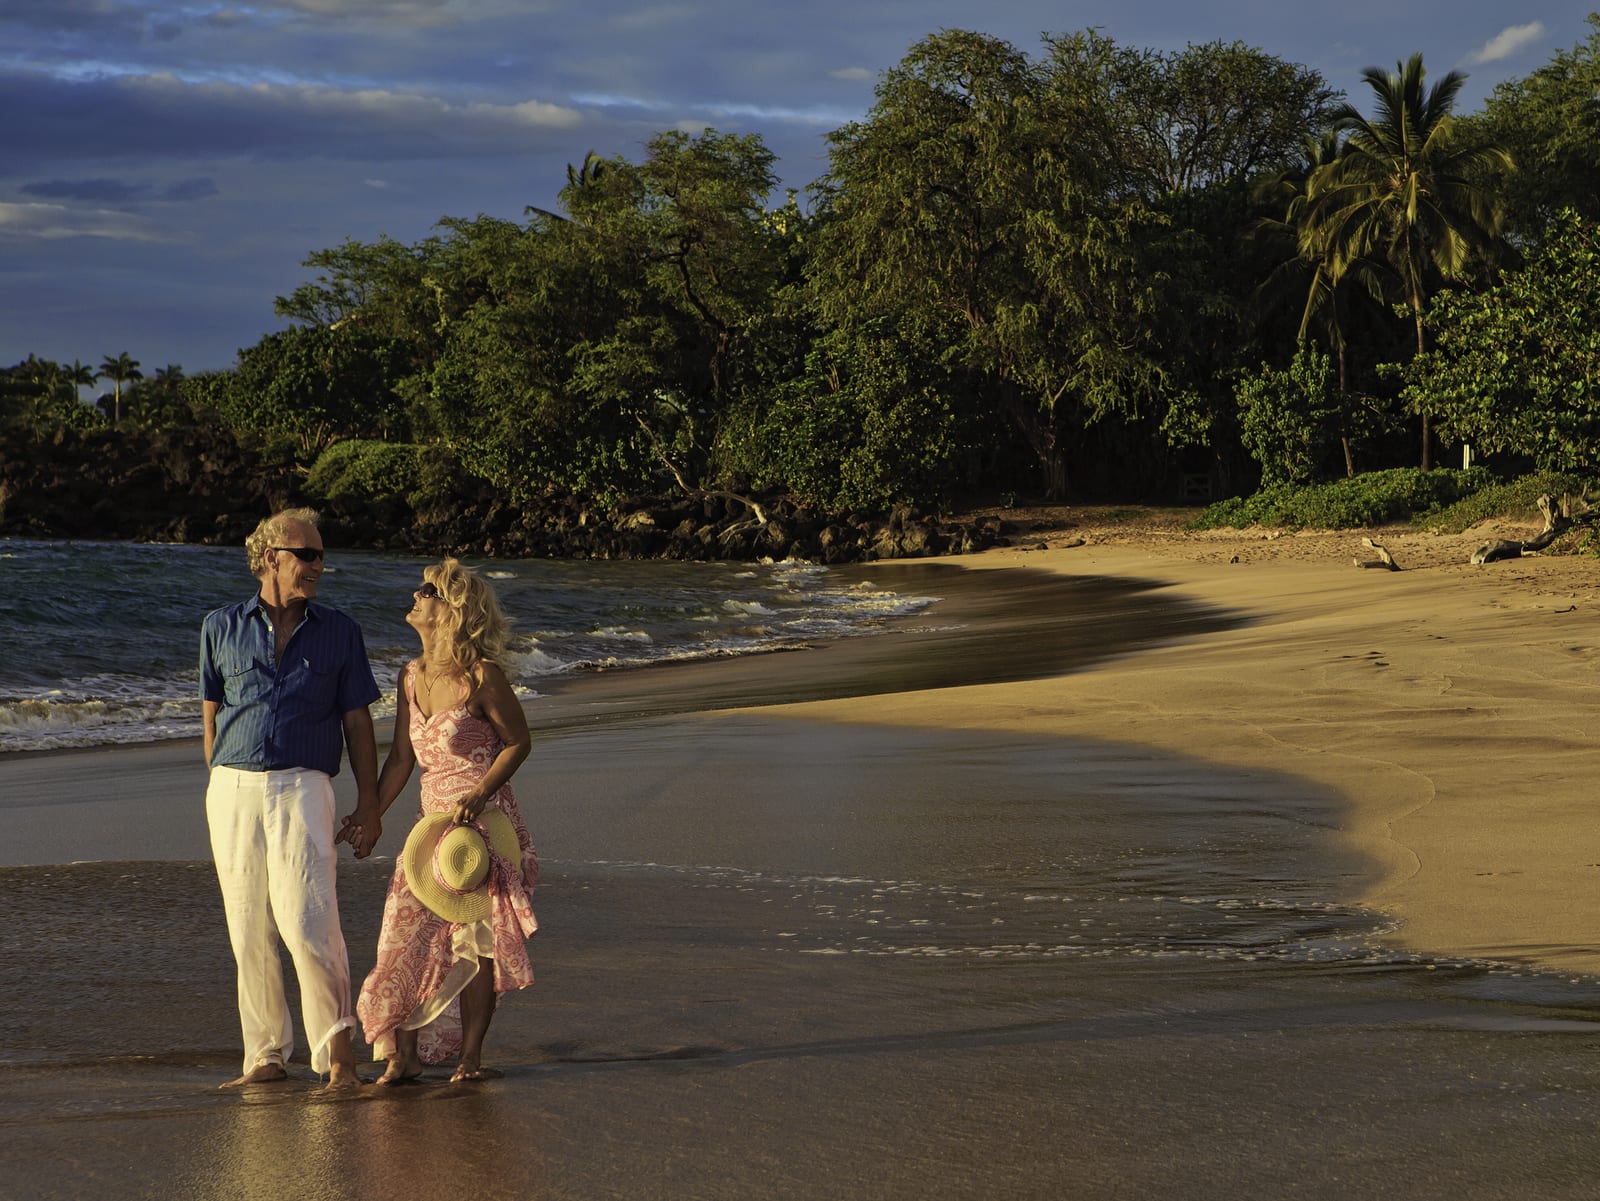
[[166, 169]]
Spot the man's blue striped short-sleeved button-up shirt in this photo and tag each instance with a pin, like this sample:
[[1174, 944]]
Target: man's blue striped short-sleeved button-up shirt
[[287, 714]]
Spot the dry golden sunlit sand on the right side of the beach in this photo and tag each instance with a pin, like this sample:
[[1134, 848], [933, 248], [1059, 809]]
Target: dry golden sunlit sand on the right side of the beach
[[1447, 703]]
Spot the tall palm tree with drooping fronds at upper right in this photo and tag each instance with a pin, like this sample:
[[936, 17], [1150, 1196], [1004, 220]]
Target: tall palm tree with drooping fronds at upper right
[[1404, 191]]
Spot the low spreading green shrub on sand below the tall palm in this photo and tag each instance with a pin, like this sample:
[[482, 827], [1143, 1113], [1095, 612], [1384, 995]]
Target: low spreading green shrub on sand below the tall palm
[[1370, 500]]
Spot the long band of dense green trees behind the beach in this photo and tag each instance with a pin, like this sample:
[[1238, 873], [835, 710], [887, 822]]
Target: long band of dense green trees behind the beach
[[1084, 271]]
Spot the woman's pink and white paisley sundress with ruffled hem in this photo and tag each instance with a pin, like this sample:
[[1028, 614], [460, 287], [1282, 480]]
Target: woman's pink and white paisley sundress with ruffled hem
[[425, 960]]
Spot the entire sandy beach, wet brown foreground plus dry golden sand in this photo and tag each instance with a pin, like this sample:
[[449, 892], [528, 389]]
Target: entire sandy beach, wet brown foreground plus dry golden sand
[[1281, 890]]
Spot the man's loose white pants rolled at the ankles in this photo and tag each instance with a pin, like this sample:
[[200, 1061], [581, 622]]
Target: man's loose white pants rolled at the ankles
[[273, 844]]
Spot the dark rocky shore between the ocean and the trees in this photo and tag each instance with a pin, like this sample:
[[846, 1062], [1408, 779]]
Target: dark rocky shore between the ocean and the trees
[[204, 487]]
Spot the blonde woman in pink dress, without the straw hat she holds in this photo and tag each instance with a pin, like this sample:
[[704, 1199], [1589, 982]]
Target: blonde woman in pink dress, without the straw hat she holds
[[433, 991]]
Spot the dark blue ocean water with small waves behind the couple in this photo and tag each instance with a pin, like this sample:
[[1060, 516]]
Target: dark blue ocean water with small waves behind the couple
[[98, 640]]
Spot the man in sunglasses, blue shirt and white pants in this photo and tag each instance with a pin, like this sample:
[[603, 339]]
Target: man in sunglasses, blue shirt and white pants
[[286, 690]]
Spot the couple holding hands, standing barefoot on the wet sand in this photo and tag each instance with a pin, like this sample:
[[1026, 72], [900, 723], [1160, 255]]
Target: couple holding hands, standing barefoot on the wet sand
[[286, 692]]
